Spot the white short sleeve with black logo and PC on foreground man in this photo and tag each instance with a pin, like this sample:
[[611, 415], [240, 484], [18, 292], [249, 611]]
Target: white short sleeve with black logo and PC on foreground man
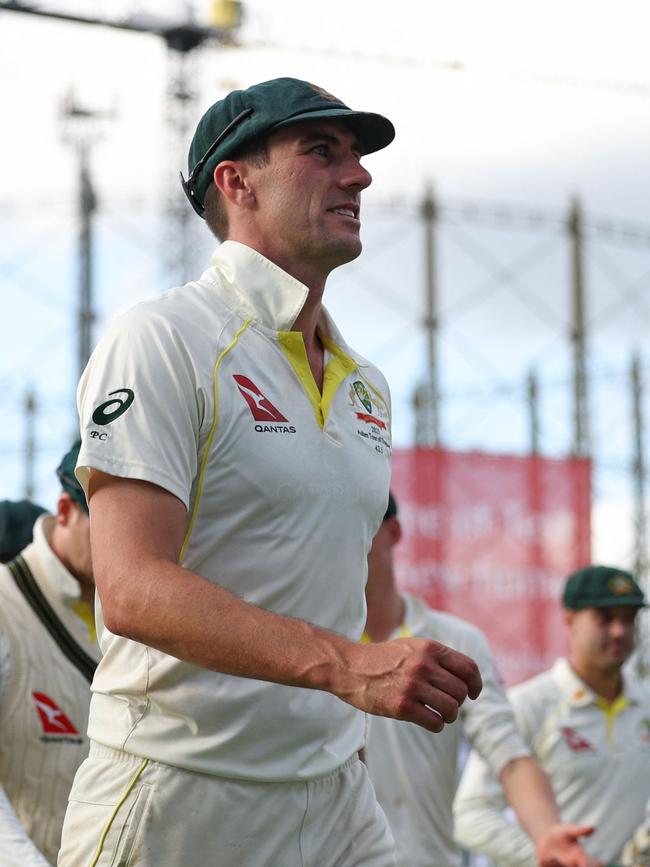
[[139, 405]]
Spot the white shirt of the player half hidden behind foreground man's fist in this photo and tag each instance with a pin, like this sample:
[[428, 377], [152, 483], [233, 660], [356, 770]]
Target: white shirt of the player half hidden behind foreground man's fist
[[414, 771]]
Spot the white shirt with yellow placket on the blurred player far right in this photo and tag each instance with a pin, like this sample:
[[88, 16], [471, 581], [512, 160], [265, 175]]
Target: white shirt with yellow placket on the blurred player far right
[[597, 757]]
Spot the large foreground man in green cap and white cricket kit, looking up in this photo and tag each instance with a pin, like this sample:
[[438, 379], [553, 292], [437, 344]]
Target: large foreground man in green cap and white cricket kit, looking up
[[236, 458]]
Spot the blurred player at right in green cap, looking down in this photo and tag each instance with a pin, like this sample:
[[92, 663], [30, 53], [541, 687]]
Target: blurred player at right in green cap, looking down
[[588, 724]]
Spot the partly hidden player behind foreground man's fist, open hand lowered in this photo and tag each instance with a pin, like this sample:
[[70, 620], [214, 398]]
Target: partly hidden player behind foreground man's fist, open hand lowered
[[415, 773]]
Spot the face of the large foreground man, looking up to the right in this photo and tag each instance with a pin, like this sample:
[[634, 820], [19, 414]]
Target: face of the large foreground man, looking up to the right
[[308, 196]]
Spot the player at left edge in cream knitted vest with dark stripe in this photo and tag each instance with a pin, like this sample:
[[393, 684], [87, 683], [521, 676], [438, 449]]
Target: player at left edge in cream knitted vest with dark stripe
[[47, 656]]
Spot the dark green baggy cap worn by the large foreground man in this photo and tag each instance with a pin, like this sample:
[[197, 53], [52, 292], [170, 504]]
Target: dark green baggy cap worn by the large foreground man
[[246, 114]]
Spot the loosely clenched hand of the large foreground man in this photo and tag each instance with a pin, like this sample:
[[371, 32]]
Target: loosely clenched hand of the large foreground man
[[410, 679]]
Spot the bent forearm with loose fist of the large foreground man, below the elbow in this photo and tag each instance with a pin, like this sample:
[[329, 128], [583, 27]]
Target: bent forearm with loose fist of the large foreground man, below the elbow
[[181, 614]]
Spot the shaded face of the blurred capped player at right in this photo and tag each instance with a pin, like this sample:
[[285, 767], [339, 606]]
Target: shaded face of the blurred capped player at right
[[602, 638]]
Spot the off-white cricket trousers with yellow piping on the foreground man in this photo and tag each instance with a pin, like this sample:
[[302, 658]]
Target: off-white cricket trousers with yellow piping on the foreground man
[[125, 811]]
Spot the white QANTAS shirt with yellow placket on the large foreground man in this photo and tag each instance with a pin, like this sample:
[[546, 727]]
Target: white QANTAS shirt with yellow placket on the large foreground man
[[207, 393]]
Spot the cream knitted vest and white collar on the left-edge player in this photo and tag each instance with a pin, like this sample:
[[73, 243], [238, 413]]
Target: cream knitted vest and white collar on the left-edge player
[[44, 702]]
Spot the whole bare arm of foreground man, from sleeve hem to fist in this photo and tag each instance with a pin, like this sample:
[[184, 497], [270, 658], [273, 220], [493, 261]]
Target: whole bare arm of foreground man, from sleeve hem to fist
[[137, 532]]
